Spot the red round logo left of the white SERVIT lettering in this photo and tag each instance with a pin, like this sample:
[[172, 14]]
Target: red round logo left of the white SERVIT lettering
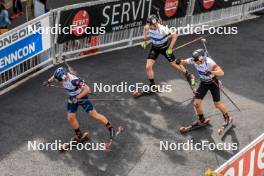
[[80, 22]]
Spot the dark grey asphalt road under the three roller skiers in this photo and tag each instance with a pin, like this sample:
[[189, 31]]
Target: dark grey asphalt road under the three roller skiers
[[33, 112]]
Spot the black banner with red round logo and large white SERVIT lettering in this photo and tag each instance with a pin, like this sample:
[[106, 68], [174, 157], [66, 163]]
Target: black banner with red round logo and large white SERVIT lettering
[[101, 18]]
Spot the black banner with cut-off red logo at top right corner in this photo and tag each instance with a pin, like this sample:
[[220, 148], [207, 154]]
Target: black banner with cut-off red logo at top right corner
[[202, 6]]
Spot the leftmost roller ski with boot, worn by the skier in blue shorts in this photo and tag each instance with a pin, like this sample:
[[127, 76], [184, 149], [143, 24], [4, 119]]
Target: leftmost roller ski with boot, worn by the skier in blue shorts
[[81, 138]]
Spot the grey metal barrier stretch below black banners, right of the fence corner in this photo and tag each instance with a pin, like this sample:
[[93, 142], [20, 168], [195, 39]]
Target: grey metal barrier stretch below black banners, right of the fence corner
[[127, 38]]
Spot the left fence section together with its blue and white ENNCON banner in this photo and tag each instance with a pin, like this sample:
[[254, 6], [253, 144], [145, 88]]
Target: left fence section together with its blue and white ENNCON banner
[[16, 68]]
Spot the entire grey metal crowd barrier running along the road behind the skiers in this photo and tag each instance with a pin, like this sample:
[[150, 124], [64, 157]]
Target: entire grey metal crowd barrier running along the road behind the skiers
[[110, 41]]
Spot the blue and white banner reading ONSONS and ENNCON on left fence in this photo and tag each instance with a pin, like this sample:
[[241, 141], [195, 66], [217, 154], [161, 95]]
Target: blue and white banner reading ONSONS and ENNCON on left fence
[[23, 44]]
